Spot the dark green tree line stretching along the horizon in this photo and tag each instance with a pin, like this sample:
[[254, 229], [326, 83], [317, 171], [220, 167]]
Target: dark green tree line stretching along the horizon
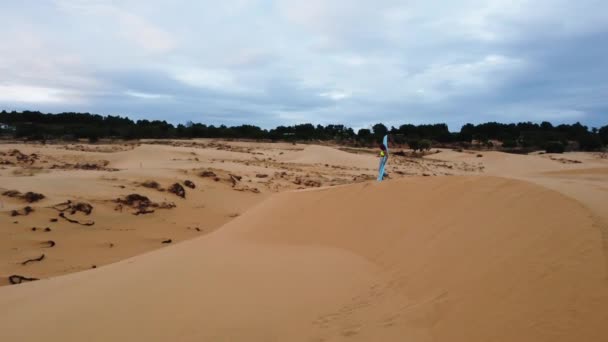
[[524, 136]]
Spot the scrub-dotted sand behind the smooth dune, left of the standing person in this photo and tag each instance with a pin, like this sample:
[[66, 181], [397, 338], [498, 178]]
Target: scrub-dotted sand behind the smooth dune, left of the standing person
[[246, 174]]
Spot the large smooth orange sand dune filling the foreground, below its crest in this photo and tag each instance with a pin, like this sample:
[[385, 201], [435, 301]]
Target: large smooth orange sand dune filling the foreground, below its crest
[[416, 259]]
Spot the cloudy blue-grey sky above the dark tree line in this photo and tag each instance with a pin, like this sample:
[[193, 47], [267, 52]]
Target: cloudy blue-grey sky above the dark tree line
[[322, 61]]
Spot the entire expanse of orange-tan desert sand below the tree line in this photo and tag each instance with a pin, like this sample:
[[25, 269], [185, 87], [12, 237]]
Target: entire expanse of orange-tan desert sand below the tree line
[[282, 242]]
